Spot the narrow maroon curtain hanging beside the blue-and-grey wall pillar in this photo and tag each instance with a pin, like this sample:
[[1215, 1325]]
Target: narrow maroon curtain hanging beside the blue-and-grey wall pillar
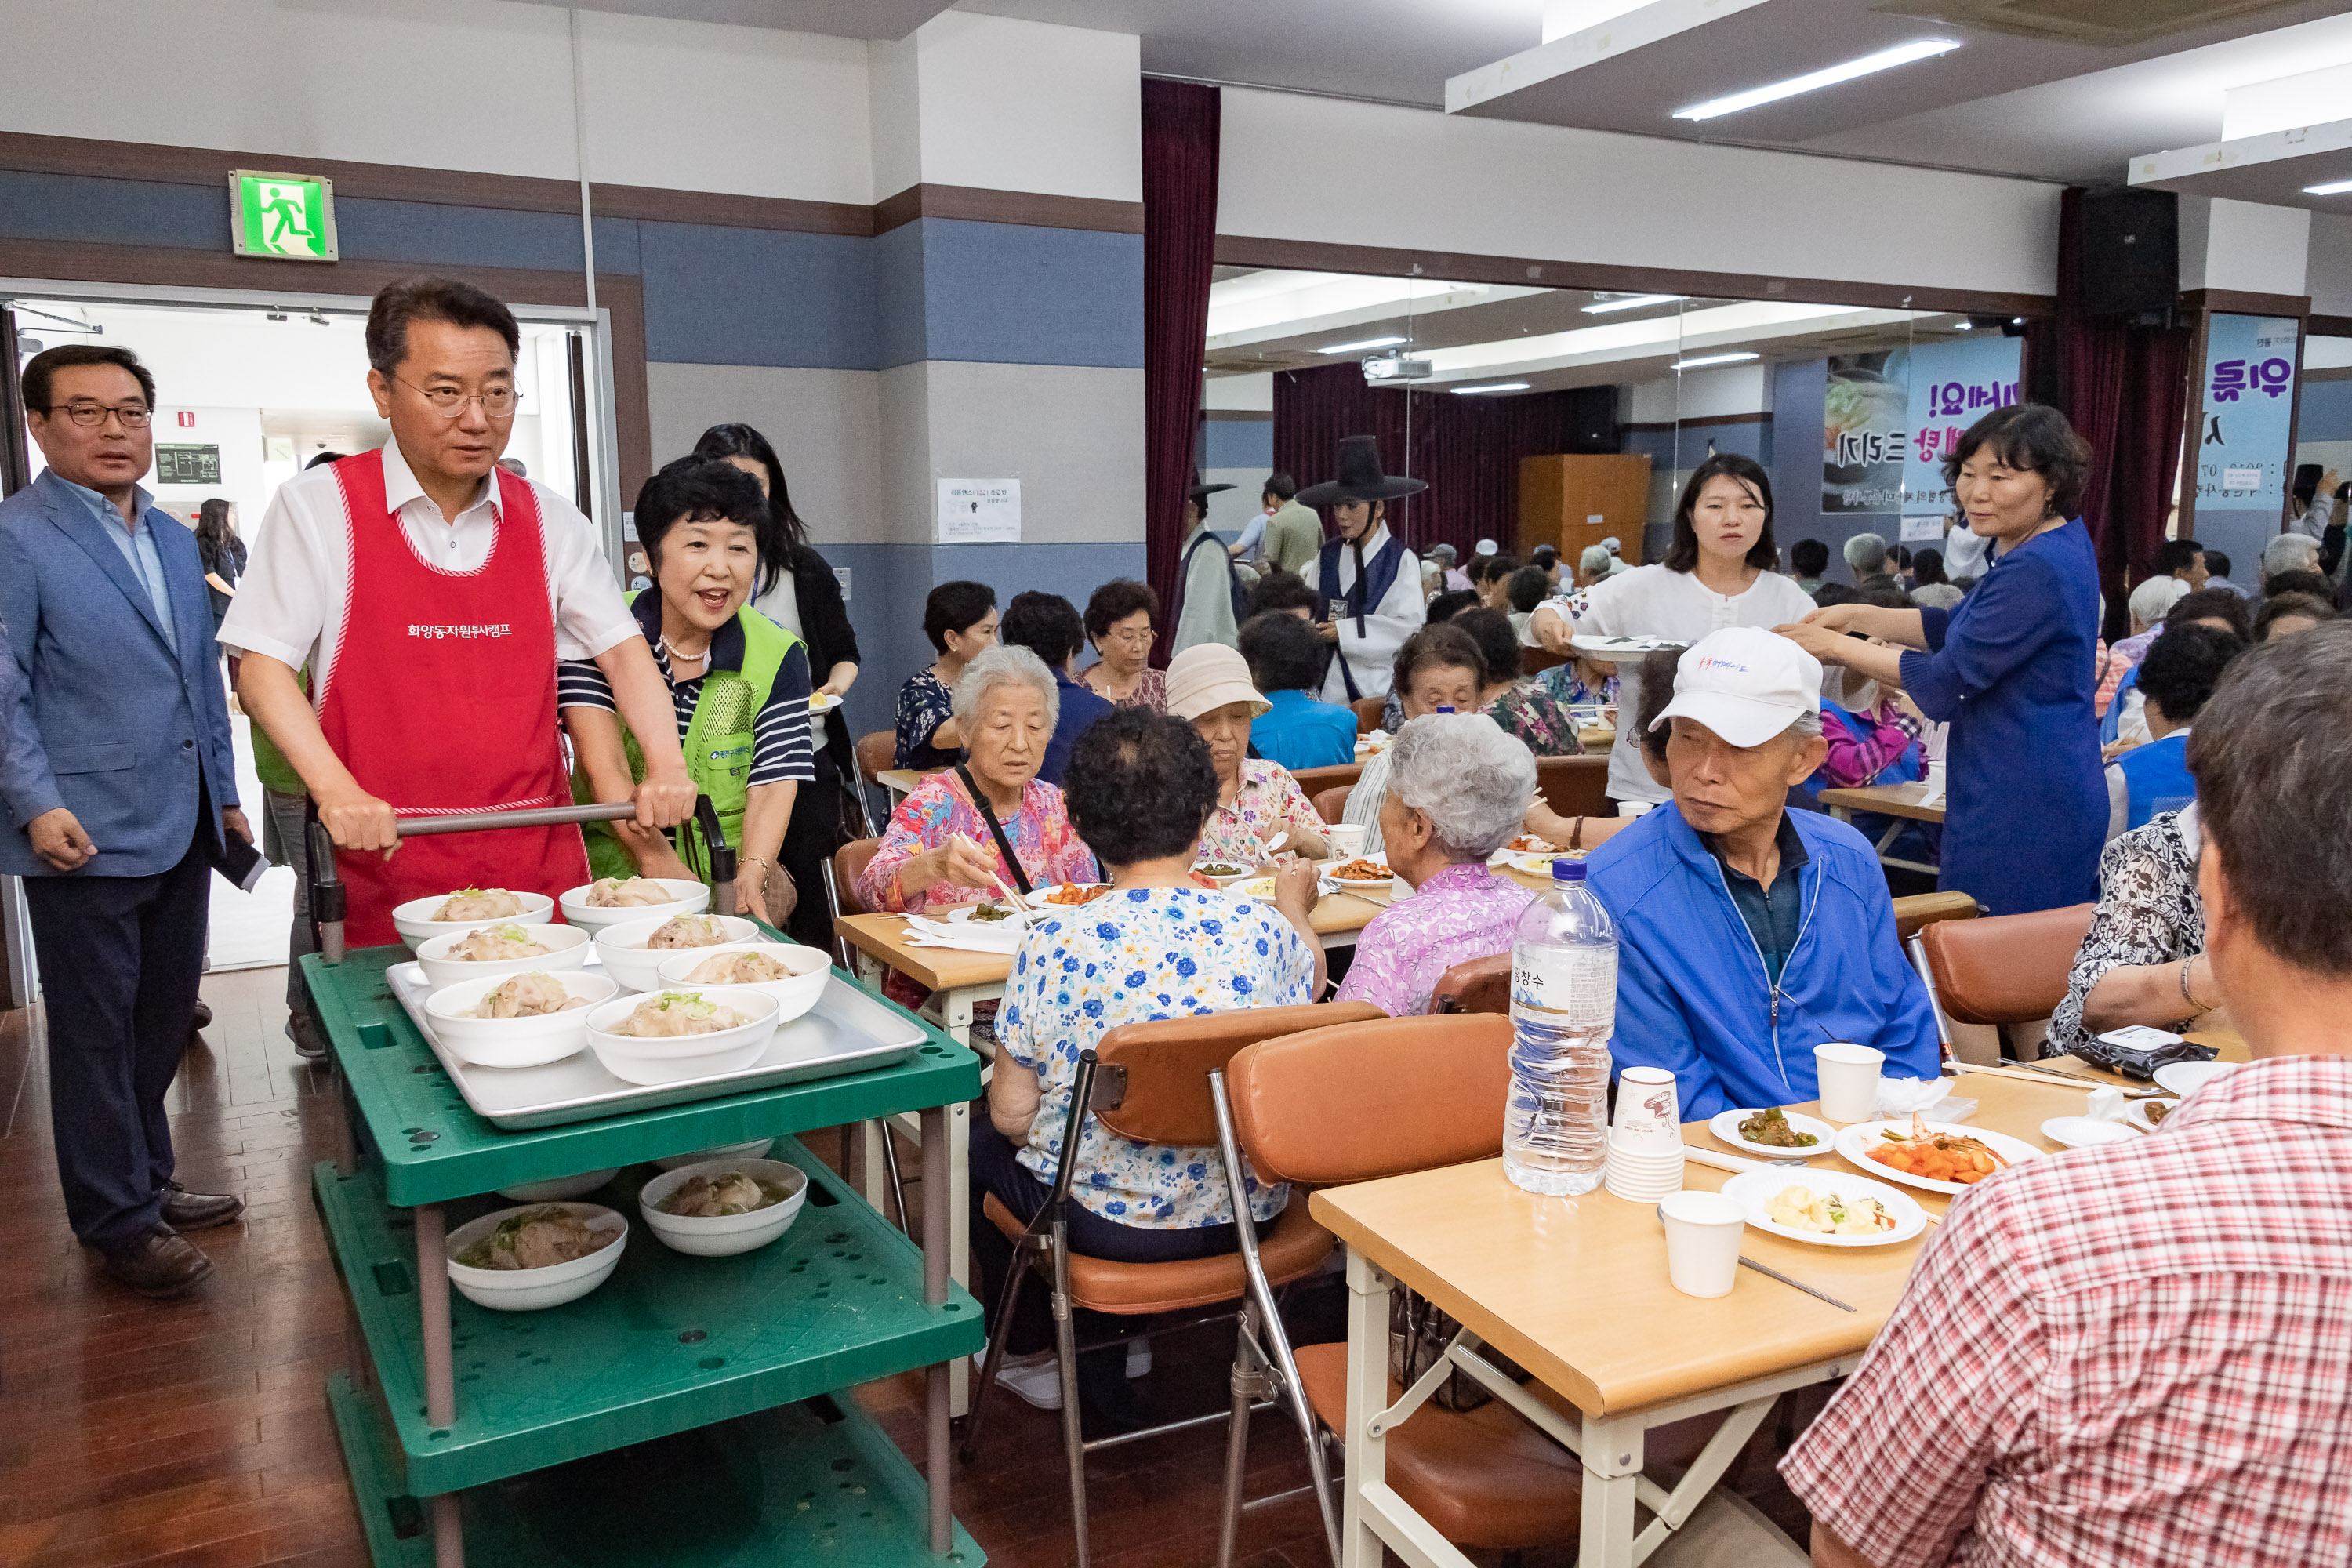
[[1180, 255]]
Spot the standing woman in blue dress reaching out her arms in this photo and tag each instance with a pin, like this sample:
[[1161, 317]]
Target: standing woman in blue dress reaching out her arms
[[2012, 669]]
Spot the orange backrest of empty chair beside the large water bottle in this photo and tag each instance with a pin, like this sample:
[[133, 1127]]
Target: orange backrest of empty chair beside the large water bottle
[[1361, 1101]]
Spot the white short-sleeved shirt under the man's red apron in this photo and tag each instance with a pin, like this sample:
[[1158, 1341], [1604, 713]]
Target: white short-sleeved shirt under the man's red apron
[[290, 601]]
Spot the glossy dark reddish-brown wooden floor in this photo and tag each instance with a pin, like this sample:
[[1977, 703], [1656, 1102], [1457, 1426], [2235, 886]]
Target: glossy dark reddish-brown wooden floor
[[194, 1435]]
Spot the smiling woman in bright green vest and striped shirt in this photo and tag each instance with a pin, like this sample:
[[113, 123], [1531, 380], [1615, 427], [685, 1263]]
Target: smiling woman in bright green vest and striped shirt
[[740, 685]]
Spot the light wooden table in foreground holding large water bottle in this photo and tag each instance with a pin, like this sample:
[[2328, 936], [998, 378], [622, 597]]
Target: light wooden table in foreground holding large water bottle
[[1577, 1294]]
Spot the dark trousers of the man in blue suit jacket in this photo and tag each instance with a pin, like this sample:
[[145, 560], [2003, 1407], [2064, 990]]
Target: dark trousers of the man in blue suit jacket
[[121, 960]]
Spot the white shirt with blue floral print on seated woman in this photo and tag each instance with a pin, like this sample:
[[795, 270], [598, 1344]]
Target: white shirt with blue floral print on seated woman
[[1137, 958]]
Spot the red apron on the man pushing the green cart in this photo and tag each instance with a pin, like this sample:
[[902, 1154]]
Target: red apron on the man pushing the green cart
[[443, 699]]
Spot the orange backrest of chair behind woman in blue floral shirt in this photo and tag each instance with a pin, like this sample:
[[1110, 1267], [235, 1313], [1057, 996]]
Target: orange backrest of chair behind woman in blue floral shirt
[[1168, 1064]]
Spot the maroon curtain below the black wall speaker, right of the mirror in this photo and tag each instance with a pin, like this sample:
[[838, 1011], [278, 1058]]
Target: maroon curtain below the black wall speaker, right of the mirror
[[2125, 391]]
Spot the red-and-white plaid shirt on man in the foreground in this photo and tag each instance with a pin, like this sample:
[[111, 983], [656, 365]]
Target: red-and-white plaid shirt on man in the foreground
[[2134, 1355]]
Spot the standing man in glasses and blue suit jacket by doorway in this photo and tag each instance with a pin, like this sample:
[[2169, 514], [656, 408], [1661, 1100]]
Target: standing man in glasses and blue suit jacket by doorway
[[121, 791]]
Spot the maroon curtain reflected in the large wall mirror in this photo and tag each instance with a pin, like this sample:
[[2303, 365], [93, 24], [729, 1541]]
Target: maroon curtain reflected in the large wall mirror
[[1466, 448]]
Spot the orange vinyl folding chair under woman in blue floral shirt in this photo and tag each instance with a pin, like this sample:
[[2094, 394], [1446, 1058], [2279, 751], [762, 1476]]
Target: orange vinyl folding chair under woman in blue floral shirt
[[1151, 1083]]
